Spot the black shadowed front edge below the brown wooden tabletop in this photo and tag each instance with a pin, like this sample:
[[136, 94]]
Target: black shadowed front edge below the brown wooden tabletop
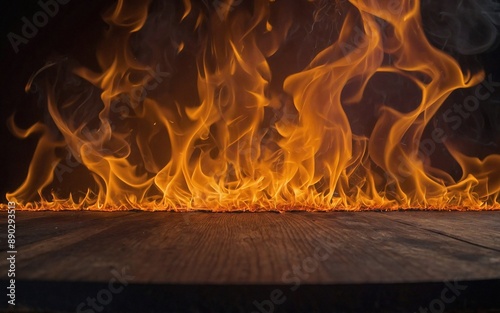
[[45, 296]]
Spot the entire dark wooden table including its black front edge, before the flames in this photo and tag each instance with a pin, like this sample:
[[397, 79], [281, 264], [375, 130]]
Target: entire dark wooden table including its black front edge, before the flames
[[256, 262]]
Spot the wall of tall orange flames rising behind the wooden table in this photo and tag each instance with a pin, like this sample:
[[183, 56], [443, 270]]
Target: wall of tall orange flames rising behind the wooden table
[[201, 108]]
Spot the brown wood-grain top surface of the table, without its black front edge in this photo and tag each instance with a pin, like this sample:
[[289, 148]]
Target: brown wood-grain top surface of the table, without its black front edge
[[255, 249]]
